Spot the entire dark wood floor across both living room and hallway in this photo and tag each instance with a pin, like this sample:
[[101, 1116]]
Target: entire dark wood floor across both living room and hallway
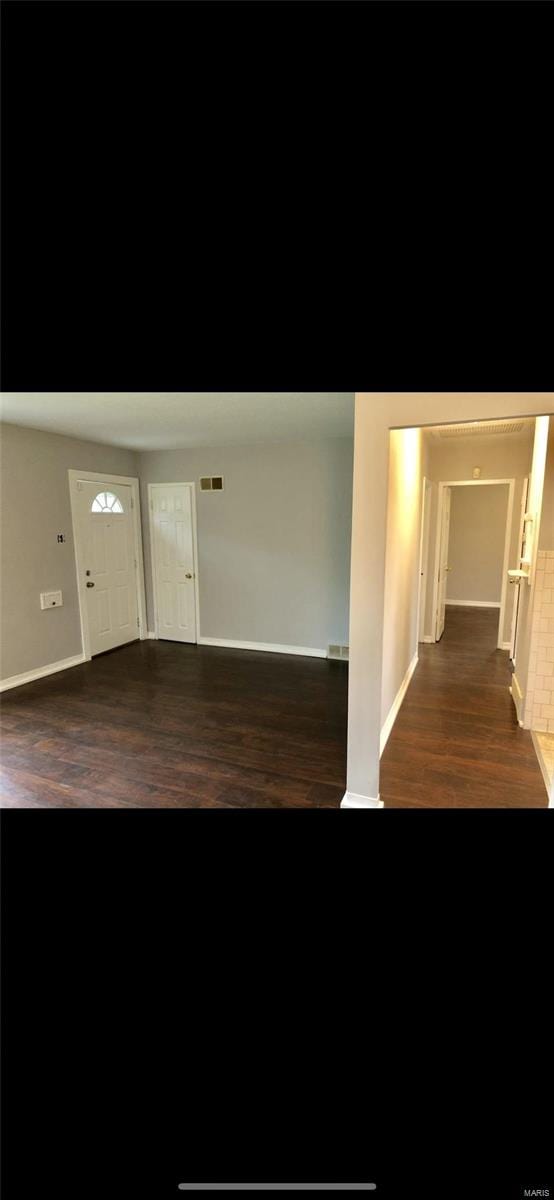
[[162, 725]]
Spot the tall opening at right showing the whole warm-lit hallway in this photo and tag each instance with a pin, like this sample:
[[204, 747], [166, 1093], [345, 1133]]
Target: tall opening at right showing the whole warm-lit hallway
[[460, 574]]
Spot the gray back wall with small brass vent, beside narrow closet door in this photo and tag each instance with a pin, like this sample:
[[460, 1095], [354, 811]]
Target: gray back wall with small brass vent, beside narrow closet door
[[274, 547]]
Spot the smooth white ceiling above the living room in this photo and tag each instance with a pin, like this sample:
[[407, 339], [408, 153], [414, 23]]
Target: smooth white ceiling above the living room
[[152, 421]]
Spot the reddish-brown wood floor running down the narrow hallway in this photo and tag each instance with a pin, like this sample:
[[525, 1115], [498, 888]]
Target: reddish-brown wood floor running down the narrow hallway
[[456, 742]]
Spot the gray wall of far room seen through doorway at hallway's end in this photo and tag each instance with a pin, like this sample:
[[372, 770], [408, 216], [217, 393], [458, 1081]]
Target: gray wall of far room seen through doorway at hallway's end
[[478, 533]]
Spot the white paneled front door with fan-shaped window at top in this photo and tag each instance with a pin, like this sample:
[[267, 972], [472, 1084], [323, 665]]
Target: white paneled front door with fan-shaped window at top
[[107, 556]]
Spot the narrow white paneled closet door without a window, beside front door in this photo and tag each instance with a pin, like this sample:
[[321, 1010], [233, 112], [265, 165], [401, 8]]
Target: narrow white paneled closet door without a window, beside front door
[[174, 569]]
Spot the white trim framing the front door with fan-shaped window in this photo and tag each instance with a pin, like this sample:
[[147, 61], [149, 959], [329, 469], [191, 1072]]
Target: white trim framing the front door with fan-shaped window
[[107, 478]]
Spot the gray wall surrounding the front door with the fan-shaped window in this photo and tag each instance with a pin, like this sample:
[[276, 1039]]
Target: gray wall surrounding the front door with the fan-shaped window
[[35, 507]]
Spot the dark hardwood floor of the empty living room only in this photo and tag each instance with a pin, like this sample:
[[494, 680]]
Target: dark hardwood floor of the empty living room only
[[159, 724]]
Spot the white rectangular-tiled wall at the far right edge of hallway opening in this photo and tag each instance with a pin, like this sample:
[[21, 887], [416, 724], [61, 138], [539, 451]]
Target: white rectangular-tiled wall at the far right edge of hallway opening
[[540, 697]]
